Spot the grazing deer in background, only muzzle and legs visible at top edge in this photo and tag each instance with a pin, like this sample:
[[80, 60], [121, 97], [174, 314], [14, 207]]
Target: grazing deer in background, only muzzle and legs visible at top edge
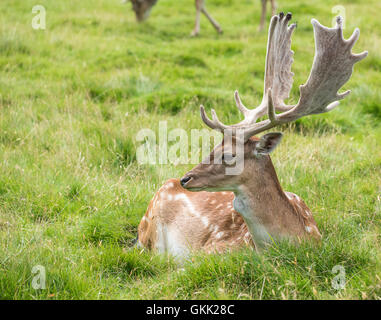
[[143, 9]]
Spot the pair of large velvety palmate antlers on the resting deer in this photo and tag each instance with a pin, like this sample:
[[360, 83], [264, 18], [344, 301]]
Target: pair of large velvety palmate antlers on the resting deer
[[331, 69]]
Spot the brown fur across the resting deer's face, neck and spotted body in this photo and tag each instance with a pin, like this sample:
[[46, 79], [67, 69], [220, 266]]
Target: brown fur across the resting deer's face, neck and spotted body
[[208, 221]]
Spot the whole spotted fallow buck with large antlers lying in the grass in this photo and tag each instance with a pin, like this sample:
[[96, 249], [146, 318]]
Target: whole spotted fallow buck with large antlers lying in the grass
[[231, 210]]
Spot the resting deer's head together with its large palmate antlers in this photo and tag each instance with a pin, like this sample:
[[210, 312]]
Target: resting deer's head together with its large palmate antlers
[[331, 69]]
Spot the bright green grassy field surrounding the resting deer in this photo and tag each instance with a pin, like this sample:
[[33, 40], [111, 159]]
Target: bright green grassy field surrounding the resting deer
[[73, 97]]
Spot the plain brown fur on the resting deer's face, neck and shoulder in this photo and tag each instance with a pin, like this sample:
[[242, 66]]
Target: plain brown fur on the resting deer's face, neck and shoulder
[[281, 214]]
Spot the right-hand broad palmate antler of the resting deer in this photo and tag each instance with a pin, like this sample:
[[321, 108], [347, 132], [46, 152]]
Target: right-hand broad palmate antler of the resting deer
[[331, 69]]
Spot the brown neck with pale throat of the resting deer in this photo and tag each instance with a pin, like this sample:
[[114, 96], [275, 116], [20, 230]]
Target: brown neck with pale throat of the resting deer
[[264, 206]]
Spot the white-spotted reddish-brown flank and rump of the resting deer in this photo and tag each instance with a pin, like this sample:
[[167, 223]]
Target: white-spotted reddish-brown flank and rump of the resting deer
[[216, 207]]
